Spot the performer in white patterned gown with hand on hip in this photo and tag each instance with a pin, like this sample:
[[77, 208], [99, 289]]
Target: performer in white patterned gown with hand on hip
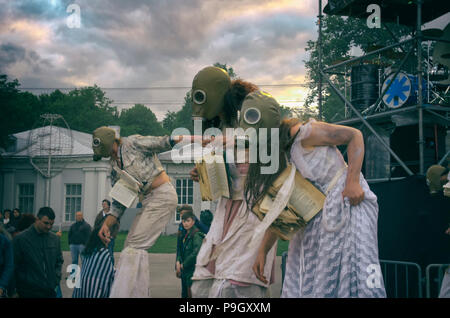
[[336, 253]]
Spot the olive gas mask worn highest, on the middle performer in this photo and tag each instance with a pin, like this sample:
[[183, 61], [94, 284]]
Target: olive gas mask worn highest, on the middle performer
[[208, 92]]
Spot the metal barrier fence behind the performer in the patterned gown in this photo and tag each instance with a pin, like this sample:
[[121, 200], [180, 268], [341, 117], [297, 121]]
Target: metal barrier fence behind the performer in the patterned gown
[[402, 279]]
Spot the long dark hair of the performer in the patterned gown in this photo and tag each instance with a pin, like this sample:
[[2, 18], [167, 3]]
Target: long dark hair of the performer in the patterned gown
[[257, 184]]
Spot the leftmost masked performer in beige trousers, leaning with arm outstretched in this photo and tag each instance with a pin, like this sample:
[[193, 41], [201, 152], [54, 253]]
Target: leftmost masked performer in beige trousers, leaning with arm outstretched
[[137, 156]]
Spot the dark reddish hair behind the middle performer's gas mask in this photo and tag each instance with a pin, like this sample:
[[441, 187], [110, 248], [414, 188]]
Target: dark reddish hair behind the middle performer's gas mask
[[234, 98]]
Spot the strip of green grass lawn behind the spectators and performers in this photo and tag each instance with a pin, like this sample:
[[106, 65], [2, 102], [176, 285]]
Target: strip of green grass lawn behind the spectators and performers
[[165, 244]]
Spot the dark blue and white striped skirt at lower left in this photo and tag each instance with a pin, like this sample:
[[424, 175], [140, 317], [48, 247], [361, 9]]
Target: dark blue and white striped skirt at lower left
[[97, 275]]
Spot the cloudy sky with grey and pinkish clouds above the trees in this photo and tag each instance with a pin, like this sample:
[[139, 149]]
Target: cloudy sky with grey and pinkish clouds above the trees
[[158, 45]]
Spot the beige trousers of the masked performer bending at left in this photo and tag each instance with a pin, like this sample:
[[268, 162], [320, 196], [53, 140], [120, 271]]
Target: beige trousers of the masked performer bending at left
[[132, 279]]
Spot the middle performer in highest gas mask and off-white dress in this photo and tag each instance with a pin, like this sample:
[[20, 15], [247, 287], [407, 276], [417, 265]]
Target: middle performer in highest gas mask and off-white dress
[[224, 263]]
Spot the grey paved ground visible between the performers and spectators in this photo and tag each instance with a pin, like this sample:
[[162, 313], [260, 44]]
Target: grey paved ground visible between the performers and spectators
[[163, 282]]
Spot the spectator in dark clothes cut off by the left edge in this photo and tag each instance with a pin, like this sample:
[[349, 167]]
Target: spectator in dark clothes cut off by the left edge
[[6, 263]]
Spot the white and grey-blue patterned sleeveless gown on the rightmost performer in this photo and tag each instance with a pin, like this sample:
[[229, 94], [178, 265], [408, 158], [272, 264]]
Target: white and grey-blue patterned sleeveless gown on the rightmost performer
[[336, 255]]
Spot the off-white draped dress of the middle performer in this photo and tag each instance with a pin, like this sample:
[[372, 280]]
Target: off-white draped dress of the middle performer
[[232, 276]]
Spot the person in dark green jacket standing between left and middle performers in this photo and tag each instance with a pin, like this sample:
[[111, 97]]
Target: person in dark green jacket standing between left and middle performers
[[191, 243]]
